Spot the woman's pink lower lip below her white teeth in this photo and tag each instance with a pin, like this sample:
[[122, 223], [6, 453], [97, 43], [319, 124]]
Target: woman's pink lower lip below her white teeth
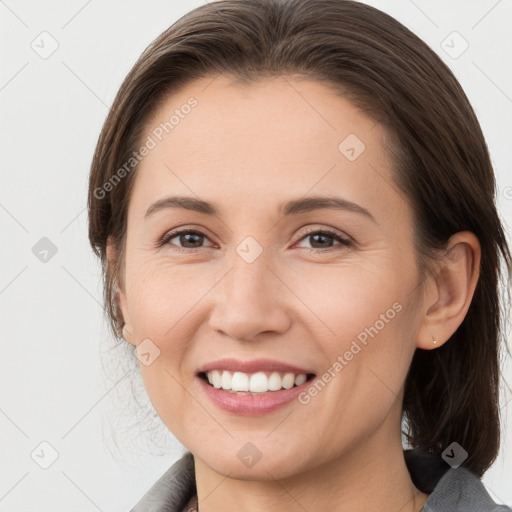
[[250, 405]]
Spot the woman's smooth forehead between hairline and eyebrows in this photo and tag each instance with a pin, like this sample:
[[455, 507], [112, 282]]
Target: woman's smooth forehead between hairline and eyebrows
[[262, 142]]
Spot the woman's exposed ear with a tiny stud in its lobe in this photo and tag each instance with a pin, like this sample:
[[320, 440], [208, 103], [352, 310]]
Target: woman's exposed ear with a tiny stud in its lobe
[[450, 291]]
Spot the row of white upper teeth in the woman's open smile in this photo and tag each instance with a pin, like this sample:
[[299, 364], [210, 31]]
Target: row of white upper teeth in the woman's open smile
[[257, 382]]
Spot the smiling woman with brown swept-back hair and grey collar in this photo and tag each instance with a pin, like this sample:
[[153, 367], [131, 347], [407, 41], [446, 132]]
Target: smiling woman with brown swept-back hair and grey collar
[[294, 206]]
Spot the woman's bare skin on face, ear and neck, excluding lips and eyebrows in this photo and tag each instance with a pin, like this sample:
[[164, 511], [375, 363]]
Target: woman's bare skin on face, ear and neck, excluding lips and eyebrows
[[248, 149]]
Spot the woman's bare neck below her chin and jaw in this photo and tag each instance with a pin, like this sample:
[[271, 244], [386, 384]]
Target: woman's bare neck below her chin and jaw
[[370, 475]]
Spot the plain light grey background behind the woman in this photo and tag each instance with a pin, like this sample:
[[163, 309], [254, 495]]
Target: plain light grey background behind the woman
[[52, 385]]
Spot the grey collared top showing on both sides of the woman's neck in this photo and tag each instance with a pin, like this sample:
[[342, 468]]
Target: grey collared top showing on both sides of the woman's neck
[[450, 490]]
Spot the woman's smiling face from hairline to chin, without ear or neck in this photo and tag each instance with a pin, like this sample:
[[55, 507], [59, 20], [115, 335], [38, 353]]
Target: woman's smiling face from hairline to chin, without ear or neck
[[253, 282]]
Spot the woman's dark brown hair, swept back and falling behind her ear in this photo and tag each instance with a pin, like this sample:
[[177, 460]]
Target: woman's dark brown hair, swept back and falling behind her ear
[[441, 164]]
